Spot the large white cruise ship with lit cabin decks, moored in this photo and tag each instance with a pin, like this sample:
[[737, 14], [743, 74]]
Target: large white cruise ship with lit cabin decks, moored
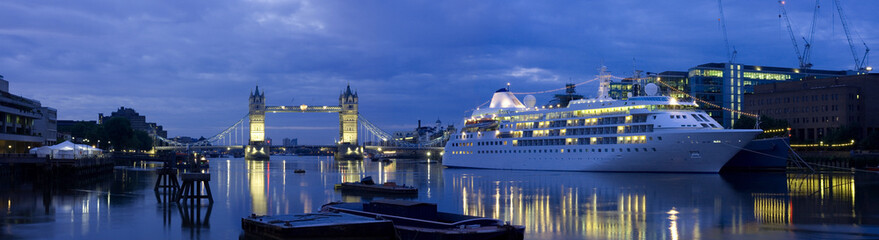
[[641, 134]]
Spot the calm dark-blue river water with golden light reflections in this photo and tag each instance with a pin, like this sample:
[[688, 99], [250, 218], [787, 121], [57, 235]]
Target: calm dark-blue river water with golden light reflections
[[552, 205]]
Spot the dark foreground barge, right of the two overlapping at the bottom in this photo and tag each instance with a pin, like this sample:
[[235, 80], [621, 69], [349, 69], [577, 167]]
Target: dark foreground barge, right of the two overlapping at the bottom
[[419, 220]]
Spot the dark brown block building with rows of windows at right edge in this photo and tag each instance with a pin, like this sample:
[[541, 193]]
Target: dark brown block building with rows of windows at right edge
[[817, 107]]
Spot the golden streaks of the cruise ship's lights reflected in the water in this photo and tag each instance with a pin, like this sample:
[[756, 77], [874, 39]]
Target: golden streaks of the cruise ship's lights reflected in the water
[[558, 209]]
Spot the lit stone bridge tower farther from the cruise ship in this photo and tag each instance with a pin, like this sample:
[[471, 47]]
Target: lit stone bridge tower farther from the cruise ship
[[256, 148]]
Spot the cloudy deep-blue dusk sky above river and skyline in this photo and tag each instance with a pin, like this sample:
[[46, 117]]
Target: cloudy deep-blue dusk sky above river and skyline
[[190, 65]]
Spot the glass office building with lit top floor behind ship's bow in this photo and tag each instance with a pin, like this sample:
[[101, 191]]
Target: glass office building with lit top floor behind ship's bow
[[723, 85]]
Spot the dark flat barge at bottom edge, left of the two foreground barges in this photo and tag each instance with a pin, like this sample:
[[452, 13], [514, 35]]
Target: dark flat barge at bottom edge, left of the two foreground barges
[[318, 226]]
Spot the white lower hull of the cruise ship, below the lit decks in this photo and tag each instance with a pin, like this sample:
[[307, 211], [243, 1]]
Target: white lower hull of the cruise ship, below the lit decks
[[678, 151]]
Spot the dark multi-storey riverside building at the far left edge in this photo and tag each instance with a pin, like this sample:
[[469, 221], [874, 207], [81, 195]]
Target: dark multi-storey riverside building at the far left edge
[[24, 123]]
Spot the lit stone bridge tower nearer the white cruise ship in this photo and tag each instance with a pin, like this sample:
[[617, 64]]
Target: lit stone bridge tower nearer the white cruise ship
[[347, 146]]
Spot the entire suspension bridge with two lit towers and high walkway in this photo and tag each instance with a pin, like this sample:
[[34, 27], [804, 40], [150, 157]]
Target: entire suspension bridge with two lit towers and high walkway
[[356, 134]]
